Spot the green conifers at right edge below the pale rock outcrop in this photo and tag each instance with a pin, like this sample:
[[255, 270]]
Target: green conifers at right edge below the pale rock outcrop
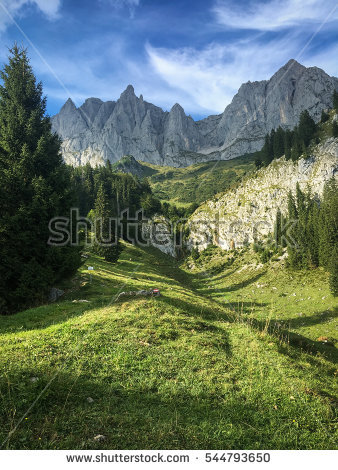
[[312, 240]]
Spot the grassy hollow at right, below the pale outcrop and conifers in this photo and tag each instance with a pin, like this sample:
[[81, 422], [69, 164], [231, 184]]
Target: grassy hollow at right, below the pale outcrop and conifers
[[299, 301]]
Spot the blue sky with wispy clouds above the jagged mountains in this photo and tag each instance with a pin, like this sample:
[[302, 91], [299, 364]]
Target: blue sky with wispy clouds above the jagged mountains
[[193, 52]]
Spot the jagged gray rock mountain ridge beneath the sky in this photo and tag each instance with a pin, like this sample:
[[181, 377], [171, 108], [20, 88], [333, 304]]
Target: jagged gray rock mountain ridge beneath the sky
[[97, 131]]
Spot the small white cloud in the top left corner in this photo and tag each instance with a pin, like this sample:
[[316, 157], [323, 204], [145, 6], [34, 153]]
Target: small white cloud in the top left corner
[[9, 9]]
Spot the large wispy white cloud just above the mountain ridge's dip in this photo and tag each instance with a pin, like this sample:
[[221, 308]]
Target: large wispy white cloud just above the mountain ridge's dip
[[210, 77]]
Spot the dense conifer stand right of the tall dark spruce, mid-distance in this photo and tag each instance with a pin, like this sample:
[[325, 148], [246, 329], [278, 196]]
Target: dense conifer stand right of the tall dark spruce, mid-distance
[[104, 195]]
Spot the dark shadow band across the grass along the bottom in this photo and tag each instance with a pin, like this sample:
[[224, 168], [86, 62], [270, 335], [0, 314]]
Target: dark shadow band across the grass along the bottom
[[146, 417]]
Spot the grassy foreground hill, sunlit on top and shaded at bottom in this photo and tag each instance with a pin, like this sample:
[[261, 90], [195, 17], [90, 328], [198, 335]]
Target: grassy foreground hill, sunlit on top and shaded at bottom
[[184, 370]]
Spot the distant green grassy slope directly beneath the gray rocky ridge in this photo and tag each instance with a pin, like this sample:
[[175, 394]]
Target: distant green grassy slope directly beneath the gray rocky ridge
[[198, 182]]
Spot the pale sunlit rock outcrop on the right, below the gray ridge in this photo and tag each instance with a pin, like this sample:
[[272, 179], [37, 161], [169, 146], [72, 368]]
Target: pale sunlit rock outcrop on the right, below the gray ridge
[[248, 213]]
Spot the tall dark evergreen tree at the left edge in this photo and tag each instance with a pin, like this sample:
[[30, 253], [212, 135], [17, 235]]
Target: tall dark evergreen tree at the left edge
[[34, 188]]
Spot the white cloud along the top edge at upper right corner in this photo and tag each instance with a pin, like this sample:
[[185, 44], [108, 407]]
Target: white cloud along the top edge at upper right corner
[[274, 14]]
